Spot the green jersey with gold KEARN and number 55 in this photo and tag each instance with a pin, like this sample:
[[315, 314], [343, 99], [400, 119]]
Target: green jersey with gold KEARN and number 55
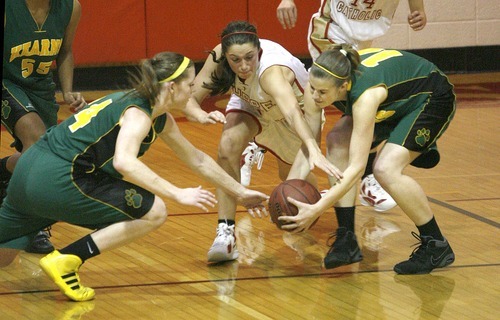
[[29, 50]]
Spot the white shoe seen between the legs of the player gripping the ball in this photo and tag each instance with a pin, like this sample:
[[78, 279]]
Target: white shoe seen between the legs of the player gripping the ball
[[371, 194]]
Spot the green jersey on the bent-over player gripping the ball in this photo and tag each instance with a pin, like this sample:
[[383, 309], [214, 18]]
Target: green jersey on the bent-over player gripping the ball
[[409, 79]]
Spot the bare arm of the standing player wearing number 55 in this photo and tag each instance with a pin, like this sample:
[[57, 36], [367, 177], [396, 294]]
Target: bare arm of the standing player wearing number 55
[[65, 62]]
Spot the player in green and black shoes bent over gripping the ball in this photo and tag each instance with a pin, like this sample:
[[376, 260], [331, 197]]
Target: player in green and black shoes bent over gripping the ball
[[392, 96]]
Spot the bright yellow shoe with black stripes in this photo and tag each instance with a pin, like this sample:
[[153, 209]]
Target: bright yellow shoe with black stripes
[[63, 270]]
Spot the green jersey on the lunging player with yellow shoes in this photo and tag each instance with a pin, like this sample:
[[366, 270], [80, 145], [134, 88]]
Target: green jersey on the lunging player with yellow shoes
[[88, 138]]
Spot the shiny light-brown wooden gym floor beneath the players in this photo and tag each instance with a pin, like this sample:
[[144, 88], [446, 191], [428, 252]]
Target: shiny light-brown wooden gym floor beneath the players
[[165, 275]]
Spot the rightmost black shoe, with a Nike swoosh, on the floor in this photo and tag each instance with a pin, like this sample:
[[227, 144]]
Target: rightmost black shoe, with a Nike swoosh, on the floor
[[430, 254]]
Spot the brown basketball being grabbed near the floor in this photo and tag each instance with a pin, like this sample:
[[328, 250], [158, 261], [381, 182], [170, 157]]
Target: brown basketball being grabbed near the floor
[[297, 189]]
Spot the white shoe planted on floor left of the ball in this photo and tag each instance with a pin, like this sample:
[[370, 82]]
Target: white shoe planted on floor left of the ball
[[224, 246]]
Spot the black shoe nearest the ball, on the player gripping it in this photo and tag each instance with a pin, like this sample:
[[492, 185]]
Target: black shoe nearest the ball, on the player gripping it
[[344, 250]]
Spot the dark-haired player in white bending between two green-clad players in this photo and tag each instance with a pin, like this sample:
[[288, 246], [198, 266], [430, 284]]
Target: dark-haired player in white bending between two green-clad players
[[267, 85]]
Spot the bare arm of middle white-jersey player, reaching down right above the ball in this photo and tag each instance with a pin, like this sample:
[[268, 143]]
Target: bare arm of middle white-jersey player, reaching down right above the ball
[[276, 81]]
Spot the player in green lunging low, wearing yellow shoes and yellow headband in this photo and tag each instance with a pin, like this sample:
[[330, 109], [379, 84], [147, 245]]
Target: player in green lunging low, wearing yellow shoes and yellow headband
[[86, 171]]
